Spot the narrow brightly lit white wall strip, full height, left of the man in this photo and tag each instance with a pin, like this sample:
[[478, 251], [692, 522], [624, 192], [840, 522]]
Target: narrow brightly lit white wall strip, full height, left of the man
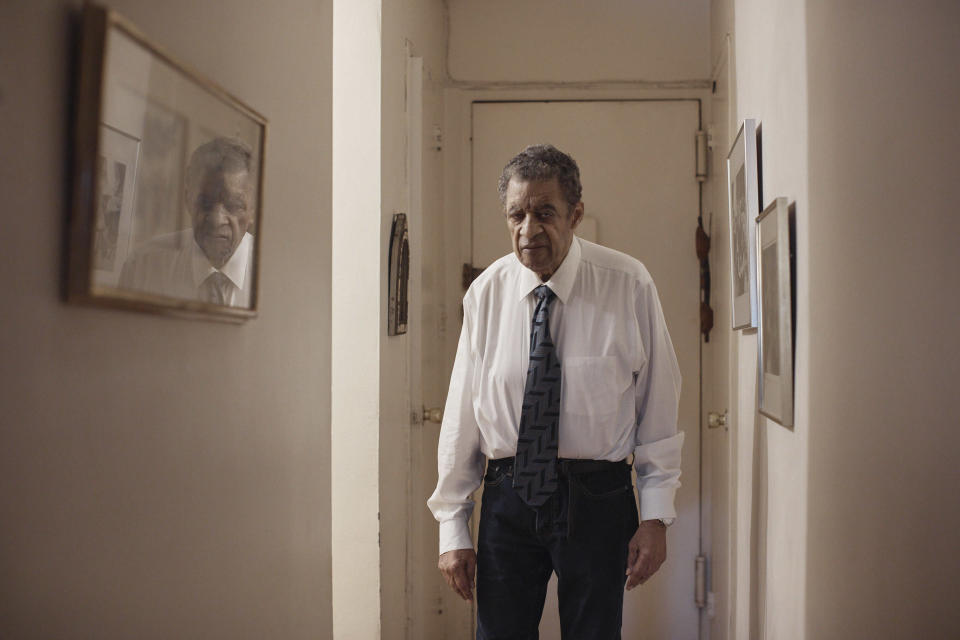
[[357, 320]]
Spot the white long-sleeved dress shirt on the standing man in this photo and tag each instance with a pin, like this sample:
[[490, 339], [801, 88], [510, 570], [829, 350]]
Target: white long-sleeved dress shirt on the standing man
[[620, 386]]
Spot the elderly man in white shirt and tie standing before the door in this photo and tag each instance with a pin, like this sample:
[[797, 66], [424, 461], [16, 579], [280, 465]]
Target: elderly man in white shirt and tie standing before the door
[[564, 371]]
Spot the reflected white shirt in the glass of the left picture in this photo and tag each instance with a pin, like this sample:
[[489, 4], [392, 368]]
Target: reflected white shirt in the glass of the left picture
[[174, 265]]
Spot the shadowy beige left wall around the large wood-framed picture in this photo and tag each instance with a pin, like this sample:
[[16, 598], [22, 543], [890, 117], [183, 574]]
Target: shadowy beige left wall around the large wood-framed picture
[[164, 478]]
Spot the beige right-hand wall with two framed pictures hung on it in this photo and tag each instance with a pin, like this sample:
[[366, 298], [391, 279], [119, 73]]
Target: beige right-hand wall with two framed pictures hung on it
[[842, 521]]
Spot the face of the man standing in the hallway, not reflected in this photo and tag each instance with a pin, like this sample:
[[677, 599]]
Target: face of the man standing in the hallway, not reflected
[[541, 224]]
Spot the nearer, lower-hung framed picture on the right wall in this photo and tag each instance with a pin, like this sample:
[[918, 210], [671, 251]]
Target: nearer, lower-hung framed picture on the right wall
[[776, 313]]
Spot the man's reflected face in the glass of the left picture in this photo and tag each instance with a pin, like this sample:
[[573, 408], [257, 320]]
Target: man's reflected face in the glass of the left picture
[[222, 211]]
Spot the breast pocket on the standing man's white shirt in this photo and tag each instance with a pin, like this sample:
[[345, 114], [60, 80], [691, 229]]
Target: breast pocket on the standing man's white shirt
[[593, 386]]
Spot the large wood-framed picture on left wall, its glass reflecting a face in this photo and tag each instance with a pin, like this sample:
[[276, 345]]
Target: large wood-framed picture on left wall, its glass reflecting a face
[[168, 181]]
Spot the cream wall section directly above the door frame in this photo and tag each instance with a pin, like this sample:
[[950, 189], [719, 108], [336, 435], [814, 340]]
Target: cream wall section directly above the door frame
[[505, 41]]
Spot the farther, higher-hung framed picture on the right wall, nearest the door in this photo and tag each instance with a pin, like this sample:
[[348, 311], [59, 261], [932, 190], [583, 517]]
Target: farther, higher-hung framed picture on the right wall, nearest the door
[[744, 204]]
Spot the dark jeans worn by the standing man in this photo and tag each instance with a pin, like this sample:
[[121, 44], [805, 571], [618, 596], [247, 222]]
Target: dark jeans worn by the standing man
[[581, 533]]
